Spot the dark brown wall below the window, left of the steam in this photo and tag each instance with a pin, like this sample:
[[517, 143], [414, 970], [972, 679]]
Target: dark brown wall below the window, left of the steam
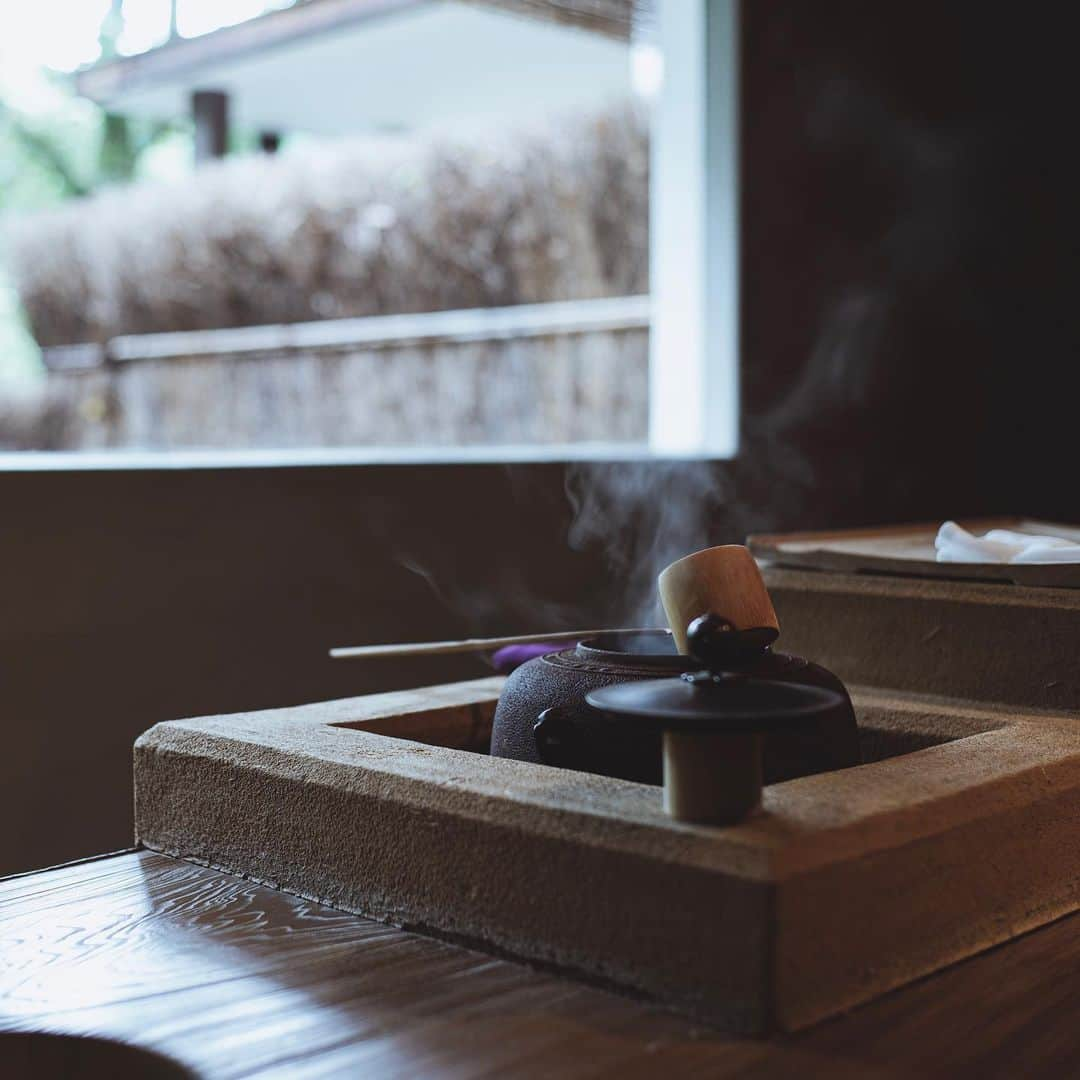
[[137, 597]]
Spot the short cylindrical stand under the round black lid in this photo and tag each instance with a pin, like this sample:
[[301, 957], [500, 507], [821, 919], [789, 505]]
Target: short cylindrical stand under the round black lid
[[712, 779]]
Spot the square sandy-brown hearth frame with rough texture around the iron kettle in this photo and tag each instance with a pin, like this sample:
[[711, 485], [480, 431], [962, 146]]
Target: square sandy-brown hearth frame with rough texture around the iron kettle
[[847, 884]]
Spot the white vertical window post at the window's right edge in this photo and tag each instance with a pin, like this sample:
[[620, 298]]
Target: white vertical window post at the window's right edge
[[694, 366]]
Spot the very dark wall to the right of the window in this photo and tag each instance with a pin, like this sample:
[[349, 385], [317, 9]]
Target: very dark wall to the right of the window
[[911, 247]]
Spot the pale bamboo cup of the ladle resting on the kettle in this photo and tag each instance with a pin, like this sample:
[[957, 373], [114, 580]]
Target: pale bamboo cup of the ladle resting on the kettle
[[723, 582]]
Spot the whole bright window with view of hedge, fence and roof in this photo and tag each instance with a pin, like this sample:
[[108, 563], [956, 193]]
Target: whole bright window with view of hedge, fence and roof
[[454, 226]]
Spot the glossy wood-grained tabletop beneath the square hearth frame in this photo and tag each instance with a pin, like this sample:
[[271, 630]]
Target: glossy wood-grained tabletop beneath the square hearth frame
[[238, 980]]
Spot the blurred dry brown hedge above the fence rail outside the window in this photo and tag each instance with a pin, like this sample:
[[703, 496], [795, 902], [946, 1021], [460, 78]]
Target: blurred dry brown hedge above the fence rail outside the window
[[342, 232]]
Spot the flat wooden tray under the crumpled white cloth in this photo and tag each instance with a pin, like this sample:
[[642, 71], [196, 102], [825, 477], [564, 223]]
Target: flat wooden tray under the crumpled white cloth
[[909, 550]]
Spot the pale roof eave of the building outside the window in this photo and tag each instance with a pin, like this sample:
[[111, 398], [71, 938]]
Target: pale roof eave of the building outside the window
[[354, 66]]
